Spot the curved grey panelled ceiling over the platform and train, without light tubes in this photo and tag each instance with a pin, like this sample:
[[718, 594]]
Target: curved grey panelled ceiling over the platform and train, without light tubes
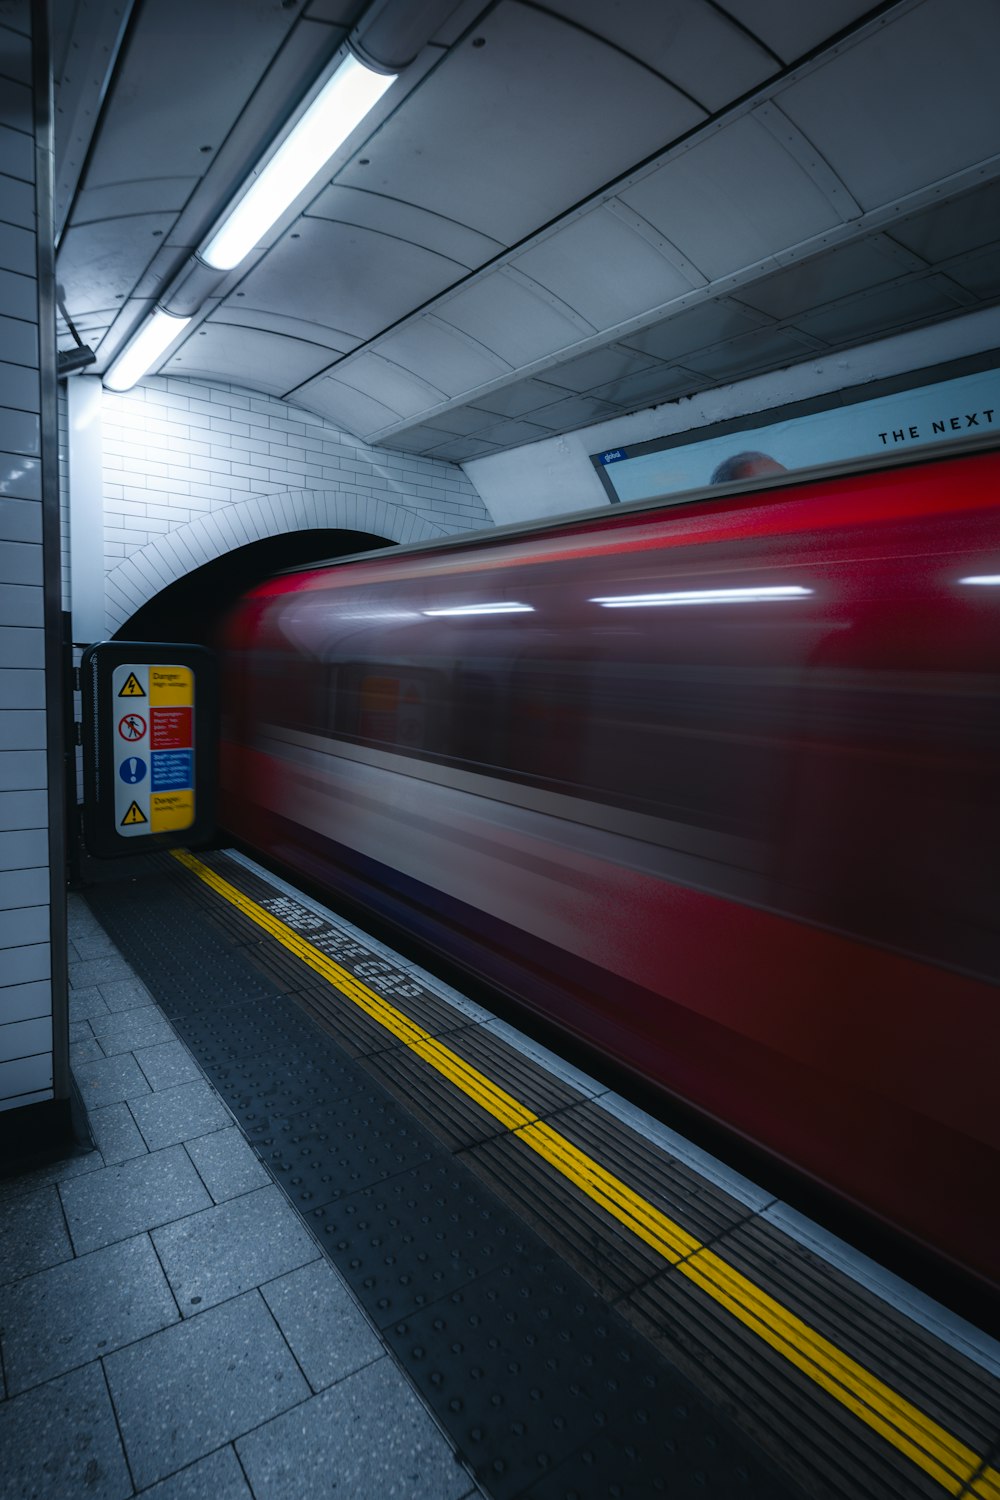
[[543, 224]]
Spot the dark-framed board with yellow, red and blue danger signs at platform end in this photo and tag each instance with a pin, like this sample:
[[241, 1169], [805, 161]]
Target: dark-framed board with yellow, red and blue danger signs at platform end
[[149, 746]]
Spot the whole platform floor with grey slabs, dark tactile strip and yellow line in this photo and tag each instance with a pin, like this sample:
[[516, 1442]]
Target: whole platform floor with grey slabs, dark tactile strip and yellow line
[[299, 1264]]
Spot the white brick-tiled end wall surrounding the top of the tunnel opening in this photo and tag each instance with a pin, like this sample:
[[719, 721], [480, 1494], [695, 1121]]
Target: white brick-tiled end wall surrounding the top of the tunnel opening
[[179, 452]]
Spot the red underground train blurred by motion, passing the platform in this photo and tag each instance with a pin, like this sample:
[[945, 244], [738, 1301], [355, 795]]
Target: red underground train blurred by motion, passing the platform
[[711, 787]]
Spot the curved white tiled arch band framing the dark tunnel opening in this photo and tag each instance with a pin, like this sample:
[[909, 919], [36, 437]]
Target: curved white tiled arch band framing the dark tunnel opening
[[167, 560]]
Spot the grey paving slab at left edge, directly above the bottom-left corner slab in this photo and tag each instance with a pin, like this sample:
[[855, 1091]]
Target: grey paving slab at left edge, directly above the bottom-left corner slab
[[80, 1310]]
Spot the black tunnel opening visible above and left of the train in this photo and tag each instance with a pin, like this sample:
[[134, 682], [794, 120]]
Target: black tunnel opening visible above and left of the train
[[191, 608]]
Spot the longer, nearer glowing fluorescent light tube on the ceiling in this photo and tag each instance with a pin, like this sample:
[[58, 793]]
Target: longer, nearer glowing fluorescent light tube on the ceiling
[[326, 125]]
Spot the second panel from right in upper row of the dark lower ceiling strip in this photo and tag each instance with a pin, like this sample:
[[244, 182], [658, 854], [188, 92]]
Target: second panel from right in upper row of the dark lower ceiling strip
[[828, 278]]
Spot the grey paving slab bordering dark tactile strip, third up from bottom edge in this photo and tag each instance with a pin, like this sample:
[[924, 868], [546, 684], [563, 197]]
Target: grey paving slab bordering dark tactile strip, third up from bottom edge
[[233, 1247]]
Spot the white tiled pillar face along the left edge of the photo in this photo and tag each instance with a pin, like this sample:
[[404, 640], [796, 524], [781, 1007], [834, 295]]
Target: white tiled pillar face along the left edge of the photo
[[26, 1007]]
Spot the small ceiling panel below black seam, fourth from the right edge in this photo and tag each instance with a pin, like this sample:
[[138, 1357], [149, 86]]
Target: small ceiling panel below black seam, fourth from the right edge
[[512, 320]]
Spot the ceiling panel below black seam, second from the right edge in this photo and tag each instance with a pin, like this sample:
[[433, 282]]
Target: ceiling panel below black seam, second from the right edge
[[734, 200]]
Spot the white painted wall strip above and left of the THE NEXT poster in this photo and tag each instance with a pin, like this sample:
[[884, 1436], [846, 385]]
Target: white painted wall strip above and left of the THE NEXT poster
[[555, 476]]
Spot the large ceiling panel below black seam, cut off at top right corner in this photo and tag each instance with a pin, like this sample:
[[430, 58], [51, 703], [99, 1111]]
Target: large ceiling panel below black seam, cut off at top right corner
[[923, 100]]
